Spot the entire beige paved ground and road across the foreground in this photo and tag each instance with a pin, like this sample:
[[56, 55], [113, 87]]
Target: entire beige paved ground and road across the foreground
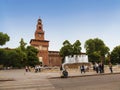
[[50, 80]]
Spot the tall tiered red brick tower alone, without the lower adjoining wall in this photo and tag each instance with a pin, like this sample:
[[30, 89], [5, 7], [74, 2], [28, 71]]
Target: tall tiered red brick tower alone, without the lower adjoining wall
[[41, 44]]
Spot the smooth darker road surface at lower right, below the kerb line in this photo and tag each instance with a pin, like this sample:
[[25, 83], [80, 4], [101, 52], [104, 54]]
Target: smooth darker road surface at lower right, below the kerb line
[[100, 82]]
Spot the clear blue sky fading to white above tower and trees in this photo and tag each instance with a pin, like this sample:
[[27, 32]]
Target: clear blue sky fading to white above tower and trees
[[62, 20]]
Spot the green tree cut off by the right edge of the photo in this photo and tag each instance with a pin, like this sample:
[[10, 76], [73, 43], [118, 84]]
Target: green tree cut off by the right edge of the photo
[[115, 55]]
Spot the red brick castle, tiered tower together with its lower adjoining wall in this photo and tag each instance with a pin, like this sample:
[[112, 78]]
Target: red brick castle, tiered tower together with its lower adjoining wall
[[48, 58]]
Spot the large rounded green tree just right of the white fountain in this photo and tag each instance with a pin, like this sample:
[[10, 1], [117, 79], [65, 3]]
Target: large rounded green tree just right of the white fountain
[[96, 50]]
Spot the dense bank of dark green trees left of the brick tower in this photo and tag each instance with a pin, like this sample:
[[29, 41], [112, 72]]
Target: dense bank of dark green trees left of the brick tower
[[20, 56]]
